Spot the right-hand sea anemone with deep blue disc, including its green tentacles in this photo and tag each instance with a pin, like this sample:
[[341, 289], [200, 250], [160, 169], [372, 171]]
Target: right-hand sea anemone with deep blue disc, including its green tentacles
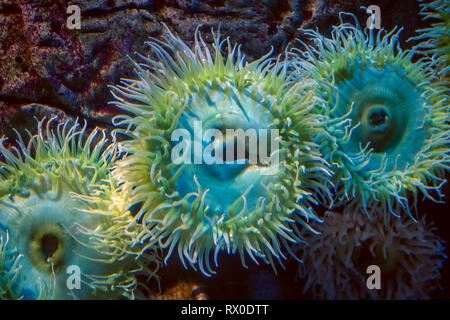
[[386, 117]]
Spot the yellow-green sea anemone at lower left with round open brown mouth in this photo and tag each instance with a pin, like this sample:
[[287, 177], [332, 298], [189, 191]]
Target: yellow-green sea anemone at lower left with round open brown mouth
[[58, 209]]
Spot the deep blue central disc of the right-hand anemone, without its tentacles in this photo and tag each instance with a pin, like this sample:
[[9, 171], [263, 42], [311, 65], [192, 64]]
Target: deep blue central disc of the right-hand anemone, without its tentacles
[[389, 113]]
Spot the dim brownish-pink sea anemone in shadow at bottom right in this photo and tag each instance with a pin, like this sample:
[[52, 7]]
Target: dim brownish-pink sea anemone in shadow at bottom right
[[409, 255]]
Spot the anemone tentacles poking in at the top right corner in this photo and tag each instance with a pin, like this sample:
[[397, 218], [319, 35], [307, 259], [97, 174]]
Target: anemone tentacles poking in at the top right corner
[[437, 37]]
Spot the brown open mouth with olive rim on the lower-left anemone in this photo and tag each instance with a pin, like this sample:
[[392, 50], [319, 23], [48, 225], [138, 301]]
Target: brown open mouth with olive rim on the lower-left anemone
[[47, 248]]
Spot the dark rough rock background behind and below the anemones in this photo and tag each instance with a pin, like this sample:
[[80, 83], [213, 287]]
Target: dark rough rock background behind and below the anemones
[[47, 69]]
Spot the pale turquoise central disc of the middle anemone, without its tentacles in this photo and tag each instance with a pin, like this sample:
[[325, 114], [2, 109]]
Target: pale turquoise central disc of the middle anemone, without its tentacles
[[240, 130]]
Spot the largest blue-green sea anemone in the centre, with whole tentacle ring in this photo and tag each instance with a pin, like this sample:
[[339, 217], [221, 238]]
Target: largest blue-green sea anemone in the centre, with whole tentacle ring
[[200, 209]]
